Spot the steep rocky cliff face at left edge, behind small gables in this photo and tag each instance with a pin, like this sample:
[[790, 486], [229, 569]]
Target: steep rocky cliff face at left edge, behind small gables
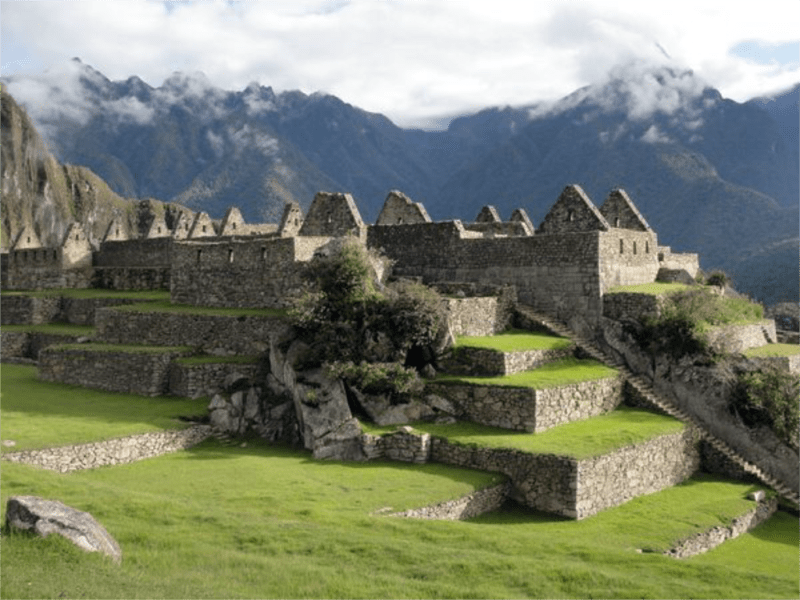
[[40, 192]]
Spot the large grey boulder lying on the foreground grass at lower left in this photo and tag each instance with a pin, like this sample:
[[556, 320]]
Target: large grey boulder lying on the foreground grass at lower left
[[43, 517]]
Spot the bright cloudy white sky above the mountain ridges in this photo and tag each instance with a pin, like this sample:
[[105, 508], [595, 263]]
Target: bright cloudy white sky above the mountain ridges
[[419, 62]]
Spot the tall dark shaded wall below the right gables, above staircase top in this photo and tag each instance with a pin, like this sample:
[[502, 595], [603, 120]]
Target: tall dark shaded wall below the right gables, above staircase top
[[558, 274]]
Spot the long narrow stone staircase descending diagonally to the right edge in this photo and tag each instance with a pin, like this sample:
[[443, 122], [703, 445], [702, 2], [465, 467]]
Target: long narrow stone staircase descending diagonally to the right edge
[[643, 387]]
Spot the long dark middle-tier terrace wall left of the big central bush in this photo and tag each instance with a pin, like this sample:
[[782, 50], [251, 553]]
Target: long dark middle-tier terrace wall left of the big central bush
[[210, 334]]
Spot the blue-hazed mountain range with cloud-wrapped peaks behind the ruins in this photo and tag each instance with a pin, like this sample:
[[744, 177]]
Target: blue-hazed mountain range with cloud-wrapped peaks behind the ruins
[[711, 175]]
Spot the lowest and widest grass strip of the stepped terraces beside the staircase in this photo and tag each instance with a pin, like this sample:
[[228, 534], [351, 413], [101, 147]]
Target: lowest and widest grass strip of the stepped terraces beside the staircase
[[580, 439]]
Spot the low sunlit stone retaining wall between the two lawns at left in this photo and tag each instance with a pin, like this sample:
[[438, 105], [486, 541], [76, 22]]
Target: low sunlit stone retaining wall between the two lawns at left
[[111, 452]]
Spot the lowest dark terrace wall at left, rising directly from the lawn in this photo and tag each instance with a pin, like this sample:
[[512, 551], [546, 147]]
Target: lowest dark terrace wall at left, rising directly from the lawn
[[142, 373]]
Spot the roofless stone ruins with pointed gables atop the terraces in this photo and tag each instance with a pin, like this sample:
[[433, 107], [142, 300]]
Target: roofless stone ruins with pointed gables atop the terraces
[[563, 268]]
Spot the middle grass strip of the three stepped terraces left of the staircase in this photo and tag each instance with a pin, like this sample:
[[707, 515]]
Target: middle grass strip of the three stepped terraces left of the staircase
[[558, 373]]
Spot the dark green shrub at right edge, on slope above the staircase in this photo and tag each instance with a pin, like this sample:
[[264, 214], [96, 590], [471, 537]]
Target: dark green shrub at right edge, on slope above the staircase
[[771, 397]]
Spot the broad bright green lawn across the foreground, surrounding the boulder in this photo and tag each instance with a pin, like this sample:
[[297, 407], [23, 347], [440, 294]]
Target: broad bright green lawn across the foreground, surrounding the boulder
[[268, 522]]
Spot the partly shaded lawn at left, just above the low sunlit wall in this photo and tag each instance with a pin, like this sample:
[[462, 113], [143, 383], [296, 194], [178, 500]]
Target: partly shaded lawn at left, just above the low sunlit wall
[[37, 414]]
